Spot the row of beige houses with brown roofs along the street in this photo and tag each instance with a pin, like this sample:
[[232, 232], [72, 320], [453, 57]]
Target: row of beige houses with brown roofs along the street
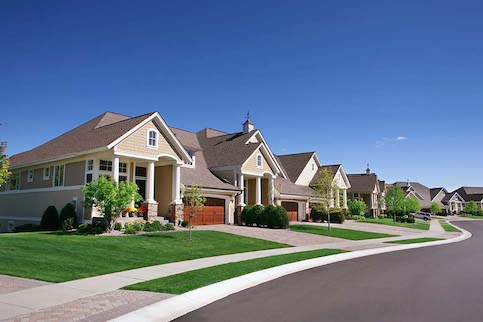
[[233, 169]]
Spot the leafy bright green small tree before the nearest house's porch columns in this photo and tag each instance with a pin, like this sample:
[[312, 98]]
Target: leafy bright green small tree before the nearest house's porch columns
[[110, 198]]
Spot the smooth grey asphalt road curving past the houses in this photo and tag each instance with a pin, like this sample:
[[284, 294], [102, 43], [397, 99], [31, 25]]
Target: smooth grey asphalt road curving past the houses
[[441, 283]]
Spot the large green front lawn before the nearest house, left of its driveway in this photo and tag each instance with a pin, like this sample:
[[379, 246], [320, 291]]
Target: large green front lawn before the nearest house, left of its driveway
[[60, 257]]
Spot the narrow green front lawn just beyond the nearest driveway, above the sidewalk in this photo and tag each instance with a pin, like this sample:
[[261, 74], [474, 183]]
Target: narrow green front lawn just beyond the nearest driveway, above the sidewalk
[[337, 232]]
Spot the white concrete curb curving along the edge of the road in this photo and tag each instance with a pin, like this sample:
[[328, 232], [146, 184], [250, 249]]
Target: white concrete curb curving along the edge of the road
[[180, 305]]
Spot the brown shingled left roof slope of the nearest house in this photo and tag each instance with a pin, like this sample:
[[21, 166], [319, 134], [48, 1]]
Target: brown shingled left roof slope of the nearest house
[[95, 134]]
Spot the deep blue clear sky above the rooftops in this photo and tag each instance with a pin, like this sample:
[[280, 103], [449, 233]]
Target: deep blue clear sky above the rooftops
[[396, 84]]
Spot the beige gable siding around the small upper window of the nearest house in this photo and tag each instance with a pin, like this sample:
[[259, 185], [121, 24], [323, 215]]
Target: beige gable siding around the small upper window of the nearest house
[[136, 143]]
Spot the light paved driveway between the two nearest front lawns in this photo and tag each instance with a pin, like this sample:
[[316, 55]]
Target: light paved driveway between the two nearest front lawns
[[277, 235]]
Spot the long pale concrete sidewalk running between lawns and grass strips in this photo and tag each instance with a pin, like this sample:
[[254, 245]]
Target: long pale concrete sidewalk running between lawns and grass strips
[[29, 300]]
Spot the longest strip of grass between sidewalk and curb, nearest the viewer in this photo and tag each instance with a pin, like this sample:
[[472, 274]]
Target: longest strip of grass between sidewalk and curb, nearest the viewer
[[184, 282]]
